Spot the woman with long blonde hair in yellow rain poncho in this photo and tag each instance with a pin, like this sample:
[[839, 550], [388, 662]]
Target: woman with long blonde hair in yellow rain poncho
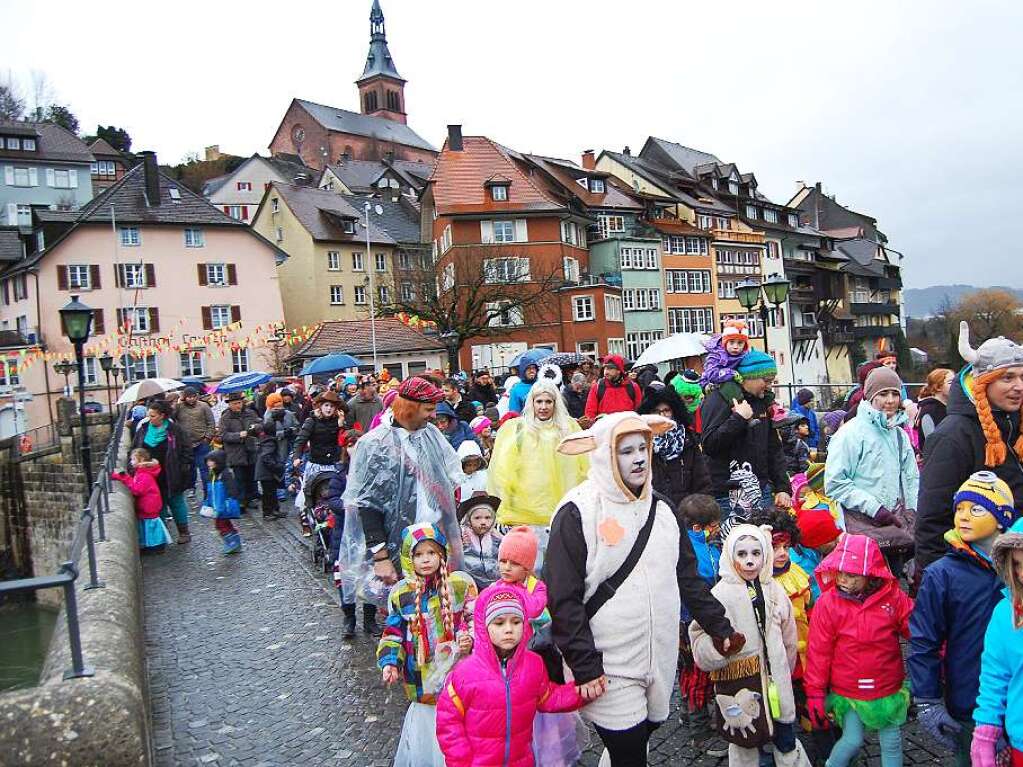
[[526, 471]]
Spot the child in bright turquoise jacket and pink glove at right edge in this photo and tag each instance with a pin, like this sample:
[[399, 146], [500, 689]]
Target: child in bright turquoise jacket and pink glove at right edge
[[1000, 705]]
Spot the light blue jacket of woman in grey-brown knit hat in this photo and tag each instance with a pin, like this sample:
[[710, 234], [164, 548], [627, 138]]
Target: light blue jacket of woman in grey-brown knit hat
[[863, 457]]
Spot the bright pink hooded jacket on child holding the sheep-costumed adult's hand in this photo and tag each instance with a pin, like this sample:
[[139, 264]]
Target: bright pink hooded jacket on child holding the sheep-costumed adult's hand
[[485, 712]]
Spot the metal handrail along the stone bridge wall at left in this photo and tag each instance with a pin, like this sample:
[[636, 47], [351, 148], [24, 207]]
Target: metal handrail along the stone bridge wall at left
[[98, 507]]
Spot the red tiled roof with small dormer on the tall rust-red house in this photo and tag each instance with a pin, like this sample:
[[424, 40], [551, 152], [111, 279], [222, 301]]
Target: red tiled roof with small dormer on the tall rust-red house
[[460, 177]]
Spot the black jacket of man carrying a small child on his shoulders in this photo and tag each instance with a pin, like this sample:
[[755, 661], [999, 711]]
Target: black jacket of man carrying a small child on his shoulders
[[728, 437]]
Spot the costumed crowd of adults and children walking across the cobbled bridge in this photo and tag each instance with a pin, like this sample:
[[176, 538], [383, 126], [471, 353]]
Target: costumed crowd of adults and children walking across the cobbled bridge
[[580, 543]]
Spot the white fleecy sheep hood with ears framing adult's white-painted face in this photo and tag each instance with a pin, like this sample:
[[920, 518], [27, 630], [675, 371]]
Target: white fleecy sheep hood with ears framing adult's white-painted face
[[602, 439]]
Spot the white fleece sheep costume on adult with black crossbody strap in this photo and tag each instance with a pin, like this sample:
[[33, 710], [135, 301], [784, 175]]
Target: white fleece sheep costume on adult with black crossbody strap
[[637, 631]]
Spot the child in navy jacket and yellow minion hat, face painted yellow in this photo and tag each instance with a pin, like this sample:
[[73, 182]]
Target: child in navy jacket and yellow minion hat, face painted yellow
[[955, 604]]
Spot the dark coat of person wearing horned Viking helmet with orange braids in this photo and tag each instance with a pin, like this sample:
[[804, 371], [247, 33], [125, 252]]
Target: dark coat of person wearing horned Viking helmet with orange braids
[[954, 453]]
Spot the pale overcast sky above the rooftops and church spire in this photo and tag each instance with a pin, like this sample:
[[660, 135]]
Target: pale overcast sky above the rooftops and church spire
[[911, 111]]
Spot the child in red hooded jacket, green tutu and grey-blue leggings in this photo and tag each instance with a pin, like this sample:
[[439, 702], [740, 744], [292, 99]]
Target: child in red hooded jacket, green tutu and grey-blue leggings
[[855, 663]]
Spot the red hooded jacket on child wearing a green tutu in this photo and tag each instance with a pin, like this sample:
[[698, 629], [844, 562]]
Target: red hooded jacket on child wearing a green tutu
[[854, 648]]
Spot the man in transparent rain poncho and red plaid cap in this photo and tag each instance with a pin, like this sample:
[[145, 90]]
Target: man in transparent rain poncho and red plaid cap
[[403, 473]]
